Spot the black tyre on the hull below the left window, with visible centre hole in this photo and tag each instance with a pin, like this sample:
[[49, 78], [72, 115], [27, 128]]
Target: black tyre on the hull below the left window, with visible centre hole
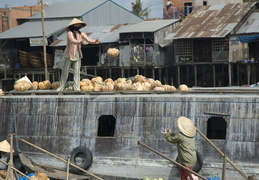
[[82, 157]]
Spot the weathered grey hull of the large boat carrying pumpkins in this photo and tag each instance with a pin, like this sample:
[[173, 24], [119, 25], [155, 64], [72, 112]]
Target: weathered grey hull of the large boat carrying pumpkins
[[61, 122]]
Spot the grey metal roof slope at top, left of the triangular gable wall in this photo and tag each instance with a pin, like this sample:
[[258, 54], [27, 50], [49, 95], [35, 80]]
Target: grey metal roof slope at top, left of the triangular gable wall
[[69, 9]]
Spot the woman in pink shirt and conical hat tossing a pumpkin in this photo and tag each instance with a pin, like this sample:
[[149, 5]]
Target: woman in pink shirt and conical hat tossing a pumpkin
[[73, 53]]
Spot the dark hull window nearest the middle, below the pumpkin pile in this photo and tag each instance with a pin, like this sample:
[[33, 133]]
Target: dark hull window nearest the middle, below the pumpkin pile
[[106, 126]]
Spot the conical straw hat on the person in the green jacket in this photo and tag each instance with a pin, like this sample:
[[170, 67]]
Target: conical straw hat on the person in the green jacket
[[186, 126]]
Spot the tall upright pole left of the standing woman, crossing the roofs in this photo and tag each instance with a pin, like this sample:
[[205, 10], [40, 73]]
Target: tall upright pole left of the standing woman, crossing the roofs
[[44, 42]]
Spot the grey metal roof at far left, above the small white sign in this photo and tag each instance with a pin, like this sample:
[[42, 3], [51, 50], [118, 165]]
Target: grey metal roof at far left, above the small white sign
[[34, 29]]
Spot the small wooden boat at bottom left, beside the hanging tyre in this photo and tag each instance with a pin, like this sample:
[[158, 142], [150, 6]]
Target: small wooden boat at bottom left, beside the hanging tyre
[[51, 172]]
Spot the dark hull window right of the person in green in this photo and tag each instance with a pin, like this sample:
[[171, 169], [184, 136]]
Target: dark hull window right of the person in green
[[216, 128]]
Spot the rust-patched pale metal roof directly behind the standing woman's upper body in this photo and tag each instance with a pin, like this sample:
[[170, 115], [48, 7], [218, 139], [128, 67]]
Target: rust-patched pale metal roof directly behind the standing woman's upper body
[[106, 34]]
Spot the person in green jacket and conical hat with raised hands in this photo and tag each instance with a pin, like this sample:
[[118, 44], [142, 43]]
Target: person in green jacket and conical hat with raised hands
[[185, 140]]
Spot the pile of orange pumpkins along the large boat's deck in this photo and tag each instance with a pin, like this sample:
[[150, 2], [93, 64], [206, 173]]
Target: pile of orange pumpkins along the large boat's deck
[[135, 83]]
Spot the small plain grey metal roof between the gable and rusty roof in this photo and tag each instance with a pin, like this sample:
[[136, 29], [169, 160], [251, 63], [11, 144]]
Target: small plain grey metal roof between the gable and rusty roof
[[149, 26]]
